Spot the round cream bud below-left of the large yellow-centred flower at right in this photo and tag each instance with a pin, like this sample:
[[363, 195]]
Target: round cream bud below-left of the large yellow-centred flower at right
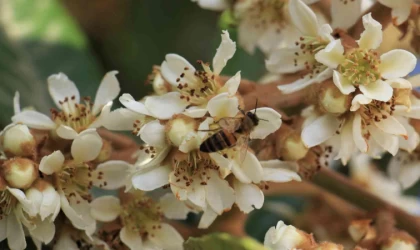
[[331, 100]]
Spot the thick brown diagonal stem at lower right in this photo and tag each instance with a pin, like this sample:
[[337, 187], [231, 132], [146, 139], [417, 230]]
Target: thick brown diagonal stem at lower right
[[347, 190]]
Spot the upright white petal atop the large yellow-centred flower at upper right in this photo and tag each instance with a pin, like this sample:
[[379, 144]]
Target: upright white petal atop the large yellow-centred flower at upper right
[[371, 37]]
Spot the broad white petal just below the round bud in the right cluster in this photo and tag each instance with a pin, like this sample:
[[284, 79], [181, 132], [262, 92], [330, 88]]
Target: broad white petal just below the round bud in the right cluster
[[320, 130]]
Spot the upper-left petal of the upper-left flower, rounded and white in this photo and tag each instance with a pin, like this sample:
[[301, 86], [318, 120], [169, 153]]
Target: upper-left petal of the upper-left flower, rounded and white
[[60, 87]]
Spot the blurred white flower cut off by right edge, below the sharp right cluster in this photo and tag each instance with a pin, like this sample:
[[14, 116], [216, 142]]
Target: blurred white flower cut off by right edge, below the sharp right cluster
[[405, 168]]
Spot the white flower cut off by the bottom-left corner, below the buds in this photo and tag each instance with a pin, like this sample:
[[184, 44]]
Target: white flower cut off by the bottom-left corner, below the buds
[[16, 208]]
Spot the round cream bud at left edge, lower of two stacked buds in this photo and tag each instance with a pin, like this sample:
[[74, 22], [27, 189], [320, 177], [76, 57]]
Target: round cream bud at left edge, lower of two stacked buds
[[19, 172]]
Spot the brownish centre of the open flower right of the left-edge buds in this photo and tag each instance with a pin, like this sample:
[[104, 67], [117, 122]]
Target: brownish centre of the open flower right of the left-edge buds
[[75, 178]]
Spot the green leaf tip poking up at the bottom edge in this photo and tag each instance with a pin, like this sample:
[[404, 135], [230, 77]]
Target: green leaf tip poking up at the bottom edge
[[222, 241]]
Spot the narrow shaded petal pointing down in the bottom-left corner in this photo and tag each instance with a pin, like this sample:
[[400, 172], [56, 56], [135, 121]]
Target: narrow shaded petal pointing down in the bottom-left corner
[[15, 233]]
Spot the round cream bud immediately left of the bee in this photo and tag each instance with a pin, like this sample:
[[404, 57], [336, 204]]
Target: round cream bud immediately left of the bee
[[179, 127]]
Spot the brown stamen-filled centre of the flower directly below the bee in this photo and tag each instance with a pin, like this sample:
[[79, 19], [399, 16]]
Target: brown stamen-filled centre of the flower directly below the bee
[[192, 167]]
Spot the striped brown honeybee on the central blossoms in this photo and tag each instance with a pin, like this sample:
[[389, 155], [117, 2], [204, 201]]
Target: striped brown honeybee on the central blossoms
[[233, 130]]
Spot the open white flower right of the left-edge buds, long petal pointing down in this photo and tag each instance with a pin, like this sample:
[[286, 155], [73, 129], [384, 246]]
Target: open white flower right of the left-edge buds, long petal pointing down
[[74, 178]]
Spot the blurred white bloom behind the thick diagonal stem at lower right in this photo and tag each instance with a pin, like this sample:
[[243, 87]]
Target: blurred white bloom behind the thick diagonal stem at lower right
[[363, 172]]
